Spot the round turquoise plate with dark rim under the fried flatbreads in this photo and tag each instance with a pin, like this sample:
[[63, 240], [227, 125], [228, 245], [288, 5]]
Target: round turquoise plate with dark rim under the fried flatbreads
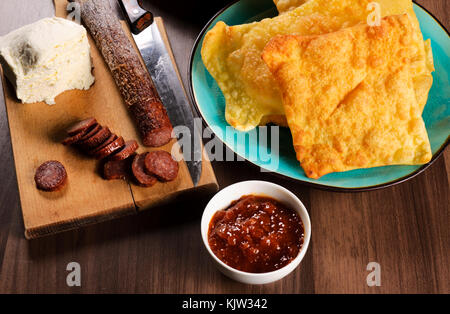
[[210, 104]]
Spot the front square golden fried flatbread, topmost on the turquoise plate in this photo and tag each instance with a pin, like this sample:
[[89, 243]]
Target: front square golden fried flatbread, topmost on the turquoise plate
[[349, 97]]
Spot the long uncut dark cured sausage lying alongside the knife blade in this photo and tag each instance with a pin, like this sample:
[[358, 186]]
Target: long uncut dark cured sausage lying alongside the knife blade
[[132, 78]]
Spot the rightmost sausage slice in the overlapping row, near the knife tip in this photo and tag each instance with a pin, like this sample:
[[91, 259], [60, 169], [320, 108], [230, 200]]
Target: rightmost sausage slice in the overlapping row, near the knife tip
[[162, 165]]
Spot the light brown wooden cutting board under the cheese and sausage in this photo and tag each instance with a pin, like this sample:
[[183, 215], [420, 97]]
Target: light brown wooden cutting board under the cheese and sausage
[[36, 132]]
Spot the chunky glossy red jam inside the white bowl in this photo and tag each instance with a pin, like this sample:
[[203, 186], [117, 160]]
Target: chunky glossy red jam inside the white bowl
[[256, 234]]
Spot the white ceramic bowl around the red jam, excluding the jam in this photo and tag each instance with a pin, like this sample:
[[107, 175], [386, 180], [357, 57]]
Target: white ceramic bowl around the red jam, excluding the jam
[[233, 192]]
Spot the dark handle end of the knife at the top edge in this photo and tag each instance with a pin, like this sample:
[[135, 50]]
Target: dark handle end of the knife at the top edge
[[137, 17]]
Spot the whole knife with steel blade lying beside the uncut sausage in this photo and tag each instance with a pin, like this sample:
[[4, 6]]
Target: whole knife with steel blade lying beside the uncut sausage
[[159, 64]]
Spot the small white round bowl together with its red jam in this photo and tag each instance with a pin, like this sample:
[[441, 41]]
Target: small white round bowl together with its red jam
[[256, 232]]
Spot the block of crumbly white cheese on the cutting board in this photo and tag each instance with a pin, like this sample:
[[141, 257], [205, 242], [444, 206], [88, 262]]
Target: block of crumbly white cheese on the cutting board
[[46, 58]]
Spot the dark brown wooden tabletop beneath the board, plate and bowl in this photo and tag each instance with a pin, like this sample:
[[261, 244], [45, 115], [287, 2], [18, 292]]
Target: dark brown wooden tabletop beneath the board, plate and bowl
[[403, 228]]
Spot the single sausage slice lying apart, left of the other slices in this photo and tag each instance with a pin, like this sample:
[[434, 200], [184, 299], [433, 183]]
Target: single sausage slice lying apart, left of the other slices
[[50, 176]]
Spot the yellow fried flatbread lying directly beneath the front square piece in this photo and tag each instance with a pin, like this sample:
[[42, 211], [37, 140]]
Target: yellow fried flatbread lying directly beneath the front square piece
[[232, 55]]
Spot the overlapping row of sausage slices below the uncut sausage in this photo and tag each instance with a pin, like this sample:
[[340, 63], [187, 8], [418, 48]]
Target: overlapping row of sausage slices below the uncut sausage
[[119, 156]]
